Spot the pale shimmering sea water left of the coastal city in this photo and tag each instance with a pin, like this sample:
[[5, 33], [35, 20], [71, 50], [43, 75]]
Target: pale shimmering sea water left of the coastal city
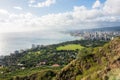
[[9, 42]]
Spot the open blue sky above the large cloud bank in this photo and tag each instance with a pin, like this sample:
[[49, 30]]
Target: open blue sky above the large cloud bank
[[59, 7]]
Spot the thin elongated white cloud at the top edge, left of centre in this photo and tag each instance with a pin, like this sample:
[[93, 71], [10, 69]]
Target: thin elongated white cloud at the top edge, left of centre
[[46, 3]]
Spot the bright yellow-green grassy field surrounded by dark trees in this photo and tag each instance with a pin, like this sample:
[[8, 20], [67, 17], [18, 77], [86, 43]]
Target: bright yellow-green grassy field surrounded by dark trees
[[70, 47]]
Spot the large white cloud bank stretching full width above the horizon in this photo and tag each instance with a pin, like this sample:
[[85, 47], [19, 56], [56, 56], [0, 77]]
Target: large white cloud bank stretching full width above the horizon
[[80, 17]]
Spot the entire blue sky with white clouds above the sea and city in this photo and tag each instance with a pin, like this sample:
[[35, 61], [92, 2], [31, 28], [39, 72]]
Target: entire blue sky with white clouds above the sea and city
[[59, 15]]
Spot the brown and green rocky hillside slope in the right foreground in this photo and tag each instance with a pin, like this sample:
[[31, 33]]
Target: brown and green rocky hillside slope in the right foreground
[[101, 63]]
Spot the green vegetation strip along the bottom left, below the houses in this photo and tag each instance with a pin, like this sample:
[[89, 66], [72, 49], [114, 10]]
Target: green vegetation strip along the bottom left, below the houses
[[37, 73]]
